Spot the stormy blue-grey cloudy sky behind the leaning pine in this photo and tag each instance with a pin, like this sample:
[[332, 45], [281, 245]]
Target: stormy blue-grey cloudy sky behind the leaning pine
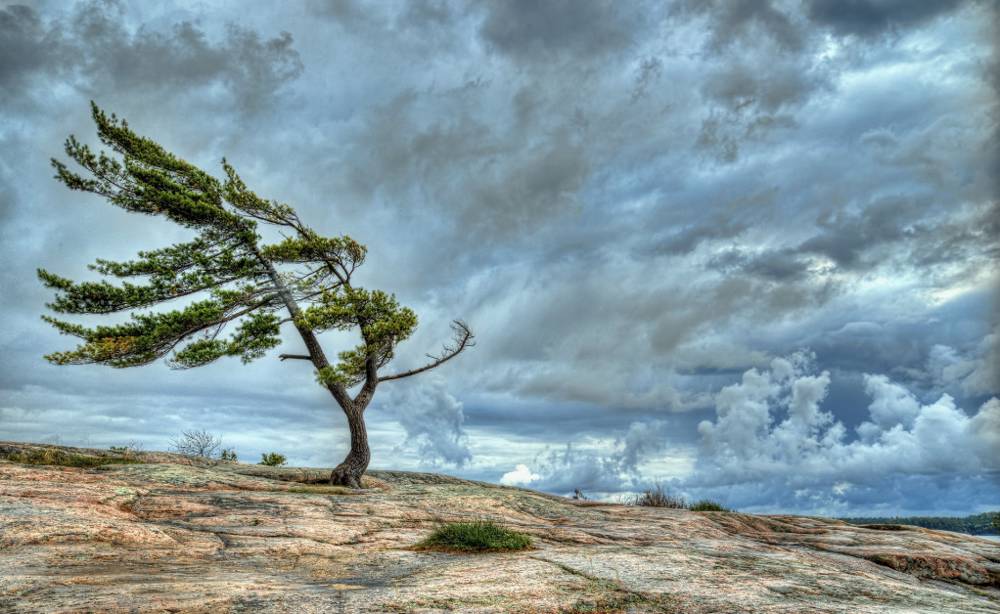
[[745, 249]]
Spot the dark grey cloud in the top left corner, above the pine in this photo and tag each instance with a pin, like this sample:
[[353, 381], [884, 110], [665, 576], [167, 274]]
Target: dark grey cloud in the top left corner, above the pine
[[92, 48]]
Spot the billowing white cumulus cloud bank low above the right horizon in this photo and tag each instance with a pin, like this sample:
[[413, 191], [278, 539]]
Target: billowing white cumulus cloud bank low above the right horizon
[[772, 446]]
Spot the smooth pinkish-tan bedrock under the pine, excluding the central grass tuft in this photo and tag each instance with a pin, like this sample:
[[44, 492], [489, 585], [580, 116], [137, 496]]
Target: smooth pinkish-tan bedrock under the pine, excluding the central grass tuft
[[166, 534]]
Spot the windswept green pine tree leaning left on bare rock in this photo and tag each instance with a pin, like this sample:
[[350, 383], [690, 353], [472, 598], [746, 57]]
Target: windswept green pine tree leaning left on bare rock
[[231, 279]]
